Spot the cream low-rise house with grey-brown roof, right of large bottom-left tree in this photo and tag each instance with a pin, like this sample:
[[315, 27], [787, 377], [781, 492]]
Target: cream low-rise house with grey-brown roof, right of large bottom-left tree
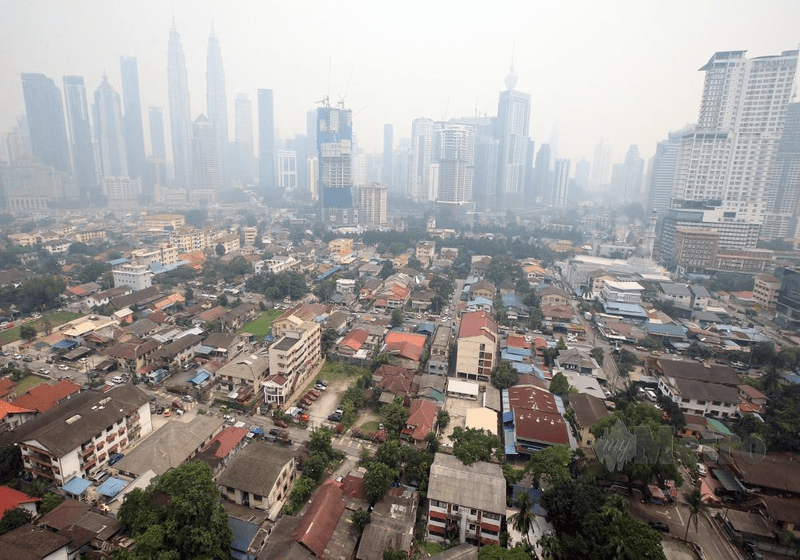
[[259, 476]]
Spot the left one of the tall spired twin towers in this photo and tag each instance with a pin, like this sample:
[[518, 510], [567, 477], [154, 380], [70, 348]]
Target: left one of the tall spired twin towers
[[180, 113]]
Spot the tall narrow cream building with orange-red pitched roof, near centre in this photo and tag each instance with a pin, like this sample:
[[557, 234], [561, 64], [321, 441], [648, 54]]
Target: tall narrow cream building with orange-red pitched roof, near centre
[[477, 346]]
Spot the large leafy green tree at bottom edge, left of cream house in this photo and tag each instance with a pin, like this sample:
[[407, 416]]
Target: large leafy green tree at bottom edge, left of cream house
[[179, 515]]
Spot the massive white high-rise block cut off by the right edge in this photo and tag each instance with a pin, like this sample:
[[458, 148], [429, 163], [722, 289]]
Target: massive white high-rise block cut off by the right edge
[[731, 155]]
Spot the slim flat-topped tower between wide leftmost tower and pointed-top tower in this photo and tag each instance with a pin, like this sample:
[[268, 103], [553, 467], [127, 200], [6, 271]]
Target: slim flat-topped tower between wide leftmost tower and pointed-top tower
[[81, 134]]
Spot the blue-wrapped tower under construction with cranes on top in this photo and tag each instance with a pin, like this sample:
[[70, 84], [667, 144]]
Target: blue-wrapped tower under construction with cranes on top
[[334, 146]]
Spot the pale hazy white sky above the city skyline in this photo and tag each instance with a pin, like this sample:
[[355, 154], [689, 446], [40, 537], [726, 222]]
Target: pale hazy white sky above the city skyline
[[624, 70]]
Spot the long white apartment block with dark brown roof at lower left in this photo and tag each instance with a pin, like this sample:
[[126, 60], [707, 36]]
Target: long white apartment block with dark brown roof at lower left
[[77, 437]]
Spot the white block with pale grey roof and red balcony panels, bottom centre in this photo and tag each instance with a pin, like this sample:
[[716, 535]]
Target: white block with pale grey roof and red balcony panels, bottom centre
[[466, 499]]
